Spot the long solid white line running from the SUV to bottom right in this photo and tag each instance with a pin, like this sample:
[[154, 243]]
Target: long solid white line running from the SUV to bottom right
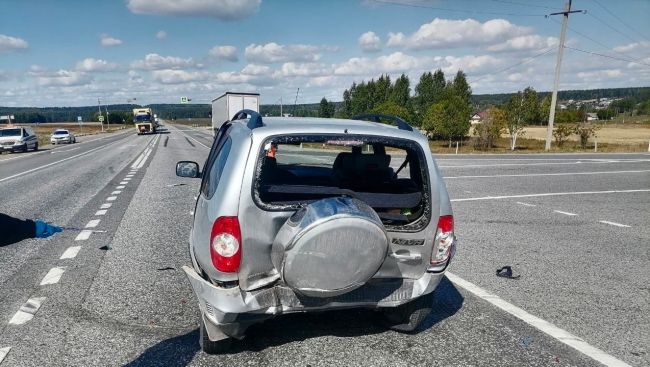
[[539, 324]]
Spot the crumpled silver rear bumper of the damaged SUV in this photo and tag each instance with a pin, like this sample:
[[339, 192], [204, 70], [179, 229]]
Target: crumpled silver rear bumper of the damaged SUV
[[227, 312]]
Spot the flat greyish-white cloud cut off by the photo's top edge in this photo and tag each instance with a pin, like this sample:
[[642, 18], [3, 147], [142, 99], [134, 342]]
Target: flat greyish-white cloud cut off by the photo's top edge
[[220, 9]]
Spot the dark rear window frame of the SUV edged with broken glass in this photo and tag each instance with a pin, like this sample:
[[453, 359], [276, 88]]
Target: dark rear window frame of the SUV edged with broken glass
[[416, 225]]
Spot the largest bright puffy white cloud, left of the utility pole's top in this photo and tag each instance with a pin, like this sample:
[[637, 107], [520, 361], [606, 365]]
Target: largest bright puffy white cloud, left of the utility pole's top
[[457, 33]]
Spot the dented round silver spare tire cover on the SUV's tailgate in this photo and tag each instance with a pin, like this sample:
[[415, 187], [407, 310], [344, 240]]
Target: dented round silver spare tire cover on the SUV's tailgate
[[330, 247]]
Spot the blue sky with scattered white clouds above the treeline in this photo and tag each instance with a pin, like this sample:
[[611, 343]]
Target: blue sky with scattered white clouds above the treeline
[[69, 53]]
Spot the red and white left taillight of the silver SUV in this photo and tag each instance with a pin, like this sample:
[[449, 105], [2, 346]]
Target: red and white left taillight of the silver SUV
[[225, 244]]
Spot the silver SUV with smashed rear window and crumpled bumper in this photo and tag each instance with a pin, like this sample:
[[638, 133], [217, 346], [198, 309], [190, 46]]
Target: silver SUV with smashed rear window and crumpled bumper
[[306, 214]]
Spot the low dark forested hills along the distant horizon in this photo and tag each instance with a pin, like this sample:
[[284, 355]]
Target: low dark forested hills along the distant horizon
[[171, 111]]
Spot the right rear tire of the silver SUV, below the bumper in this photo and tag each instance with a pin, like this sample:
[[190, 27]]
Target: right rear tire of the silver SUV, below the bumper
[[409, 316]]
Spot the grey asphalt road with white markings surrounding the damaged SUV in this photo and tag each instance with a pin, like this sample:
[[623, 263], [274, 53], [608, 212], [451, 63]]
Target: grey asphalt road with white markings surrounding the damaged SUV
[[574, 226]]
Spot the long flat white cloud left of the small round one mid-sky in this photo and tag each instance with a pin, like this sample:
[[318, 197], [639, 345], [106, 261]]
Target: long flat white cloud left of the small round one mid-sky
[[273, 52]]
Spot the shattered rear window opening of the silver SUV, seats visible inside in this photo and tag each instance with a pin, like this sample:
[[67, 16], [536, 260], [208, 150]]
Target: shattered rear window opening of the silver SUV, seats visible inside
[[388, 174]]
